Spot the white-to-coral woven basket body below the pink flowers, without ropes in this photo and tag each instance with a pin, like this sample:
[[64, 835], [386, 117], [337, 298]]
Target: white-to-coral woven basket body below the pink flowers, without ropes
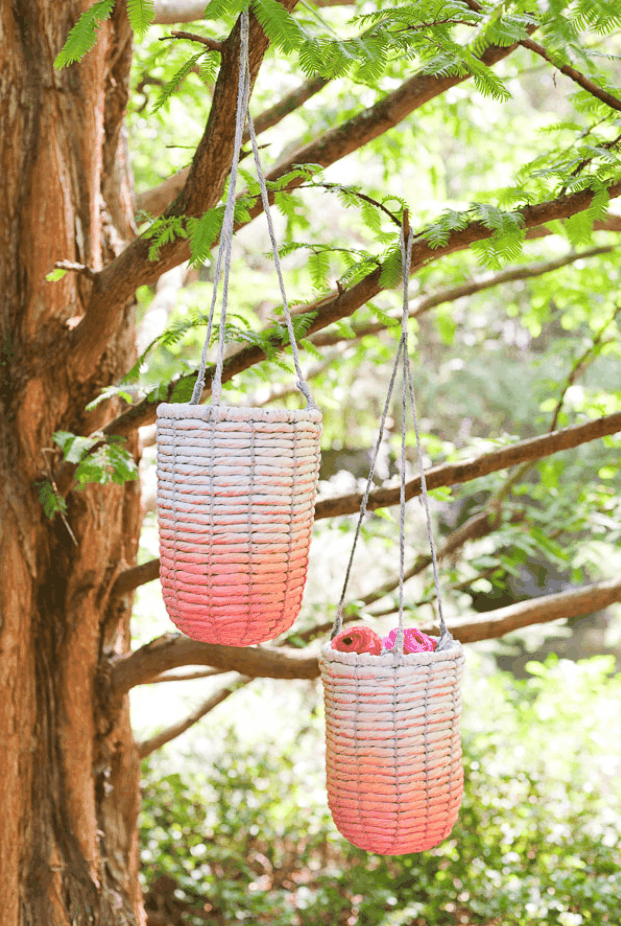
[[393, 747]]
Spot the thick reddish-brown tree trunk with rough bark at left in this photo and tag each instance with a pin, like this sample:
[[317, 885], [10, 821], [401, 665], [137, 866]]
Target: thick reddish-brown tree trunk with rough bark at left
[[69, 769]]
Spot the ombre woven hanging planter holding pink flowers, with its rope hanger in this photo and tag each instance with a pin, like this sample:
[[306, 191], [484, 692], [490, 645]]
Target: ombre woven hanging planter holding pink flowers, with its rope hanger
[[393, 749]]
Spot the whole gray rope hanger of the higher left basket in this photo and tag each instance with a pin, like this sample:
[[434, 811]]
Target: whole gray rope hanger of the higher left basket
[[226, 238]]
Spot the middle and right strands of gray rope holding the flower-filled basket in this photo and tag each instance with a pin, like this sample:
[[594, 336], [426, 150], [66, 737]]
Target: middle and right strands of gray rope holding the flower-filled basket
[[408, 386]]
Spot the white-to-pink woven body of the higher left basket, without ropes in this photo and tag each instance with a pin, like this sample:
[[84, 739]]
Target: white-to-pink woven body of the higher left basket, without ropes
[[236, 500]]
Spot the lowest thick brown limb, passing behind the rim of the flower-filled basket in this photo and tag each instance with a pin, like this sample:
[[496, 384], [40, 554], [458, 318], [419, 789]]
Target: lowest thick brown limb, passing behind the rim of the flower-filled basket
[[174, 650]]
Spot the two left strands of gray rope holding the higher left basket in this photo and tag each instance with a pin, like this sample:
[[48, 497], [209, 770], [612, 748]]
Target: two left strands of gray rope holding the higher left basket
[[226, 235]]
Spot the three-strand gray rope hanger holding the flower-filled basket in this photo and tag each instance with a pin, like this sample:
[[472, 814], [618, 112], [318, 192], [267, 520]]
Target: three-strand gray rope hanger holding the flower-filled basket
[[403, 359]]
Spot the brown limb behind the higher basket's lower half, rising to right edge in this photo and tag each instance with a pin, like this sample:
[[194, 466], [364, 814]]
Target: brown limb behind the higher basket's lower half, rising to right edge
[[446, 474]]
